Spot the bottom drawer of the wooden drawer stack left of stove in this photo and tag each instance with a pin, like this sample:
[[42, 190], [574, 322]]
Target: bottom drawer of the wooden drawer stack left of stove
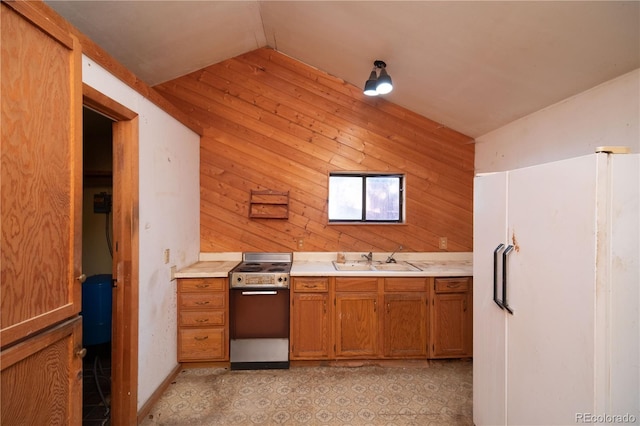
[[203, 344]]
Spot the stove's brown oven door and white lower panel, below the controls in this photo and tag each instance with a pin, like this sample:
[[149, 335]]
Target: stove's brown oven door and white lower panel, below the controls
[[259, 328]]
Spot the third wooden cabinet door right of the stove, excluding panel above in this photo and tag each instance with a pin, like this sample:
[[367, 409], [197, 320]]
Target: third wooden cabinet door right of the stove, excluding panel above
[[405, 325]]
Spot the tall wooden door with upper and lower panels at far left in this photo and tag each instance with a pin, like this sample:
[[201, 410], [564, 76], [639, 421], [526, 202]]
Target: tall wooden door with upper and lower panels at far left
[[41, 188]]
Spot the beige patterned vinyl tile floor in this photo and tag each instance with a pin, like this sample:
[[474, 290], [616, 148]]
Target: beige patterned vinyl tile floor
[[429, 393]]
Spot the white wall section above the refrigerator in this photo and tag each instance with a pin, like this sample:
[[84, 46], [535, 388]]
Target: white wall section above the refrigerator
[[607, 114]]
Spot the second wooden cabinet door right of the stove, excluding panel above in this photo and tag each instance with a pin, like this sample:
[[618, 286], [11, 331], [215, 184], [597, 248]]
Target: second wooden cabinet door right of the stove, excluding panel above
[[357, 325]]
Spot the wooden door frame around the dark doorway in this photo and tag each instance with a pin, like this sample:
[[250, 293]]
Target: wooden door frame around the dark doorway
[[124, 346]]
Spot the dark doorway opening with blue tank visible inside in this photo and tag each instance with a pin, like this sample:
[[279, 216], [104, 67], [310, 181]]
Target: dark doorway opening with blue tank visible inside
[[97, 264]]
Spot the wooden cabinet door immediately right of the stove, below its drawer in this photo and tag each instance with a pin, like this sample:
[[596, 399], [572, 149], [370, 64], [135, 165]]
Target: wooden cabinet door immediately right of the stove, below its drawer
[[310, 326]]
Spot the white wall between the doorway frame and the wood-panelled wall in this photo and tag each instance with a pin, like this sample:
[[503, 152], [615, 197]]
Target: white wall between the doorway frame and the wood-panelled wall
[[169, 218]]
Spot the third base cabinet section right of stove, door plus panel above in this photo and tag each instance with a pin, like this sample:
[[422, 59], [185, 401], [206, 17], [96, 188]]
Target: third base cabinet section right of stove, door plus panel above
[[405, 318]]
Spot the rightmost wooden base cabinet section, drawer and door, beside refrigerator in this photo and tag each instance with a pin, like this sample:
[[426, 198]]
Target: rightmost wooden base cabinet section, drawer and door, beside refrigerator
[[451, 319]]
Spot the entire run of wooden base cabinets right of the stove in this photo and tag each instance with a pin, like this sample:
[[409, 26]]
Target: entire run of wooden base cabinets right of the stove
[[381, 318]]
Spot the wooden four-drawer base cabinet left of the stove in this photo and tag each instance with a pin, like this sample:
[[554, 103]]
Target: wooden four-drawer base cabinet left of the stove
[[203, 325]]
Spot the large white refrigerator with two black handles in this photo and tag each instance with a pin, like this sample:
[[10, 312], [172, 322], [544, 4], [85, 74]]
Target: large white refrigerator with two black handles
[[556, 293]]
